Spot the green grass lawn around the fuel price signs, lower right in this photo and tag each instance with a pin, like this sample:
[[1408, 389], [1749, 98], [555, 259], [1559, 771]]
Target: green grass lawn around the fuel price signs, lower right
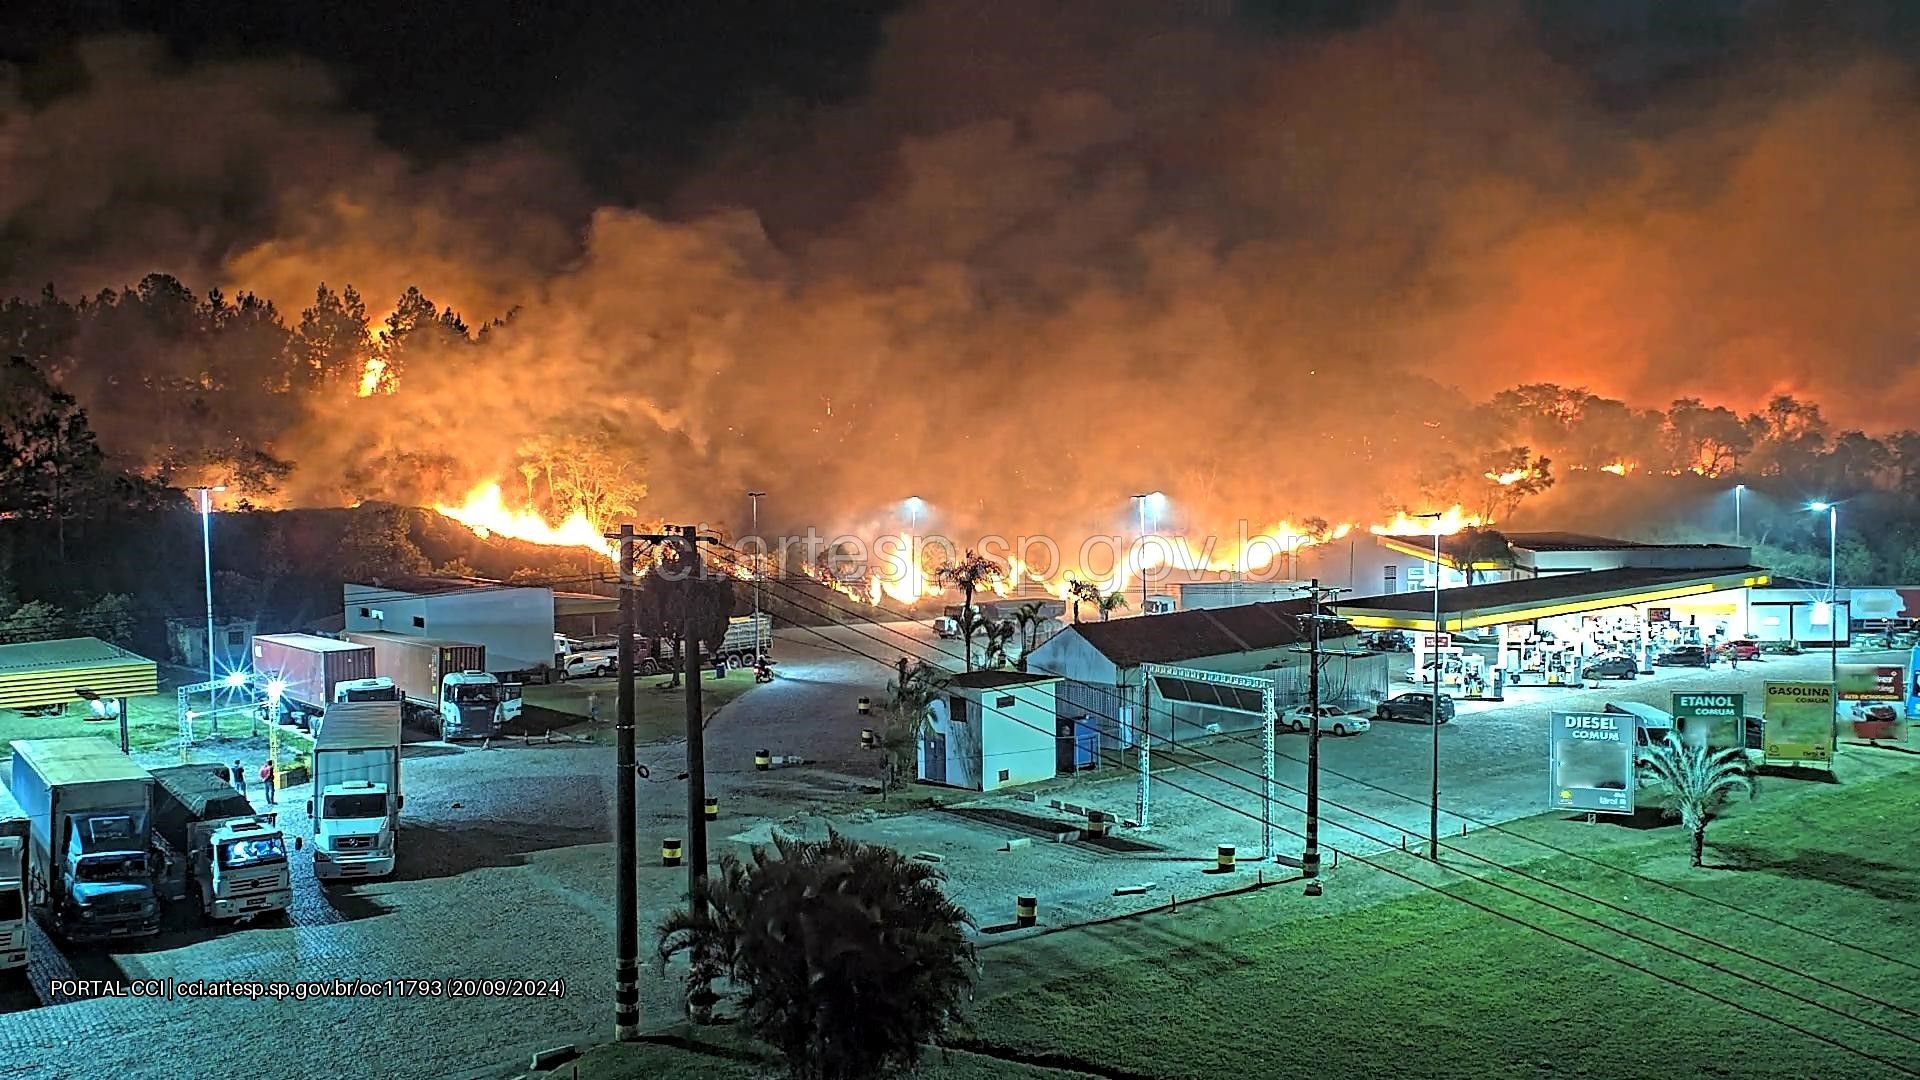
[[1424, 985]]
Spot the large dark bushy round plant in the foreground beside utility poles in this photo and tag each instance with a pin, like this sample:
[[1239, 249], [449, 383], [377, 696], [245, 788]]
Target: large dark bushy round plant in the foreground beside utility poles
[[823, 939]]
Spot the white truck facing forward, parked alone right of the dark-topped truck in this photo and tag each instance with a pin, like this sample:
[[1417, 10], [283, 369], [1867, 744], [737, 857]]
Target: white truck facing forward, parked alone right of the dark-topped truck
[[356, 791]]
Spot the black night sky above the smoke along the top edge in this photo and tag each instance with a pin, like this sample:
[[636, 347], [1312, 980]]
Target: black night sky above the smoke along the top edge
[[636, 91]]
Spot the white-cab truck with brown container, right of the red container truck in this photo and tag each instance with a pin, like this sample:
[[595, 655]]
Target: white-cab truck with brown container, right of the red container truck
[[443, 685]]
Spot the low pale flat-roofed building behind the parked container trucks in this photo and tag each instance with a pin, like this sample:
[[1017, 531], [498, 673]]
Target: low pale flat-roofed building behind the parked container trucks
[[516, 624]]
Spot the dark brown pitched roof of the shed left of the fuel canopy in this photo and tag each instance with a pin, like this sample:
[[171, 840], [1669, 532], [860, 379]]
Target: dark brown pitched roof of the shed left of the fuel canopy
[[1212, 631]]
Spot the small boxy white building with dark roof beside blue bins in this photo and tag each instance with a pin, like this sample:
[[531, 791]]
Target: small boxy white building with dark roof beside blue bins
[[992, 729]]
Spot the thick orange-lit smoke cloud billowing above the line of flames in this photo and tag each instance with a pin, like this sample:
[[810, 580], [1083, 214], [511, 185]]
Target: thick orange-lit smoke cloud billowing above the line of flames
[[1055, 257]]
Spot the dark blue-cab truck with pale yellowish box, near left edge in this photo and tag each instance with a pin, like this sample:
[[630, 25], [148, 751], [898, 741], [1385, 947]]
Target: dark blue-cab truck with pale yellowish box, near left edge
[[89, 812]]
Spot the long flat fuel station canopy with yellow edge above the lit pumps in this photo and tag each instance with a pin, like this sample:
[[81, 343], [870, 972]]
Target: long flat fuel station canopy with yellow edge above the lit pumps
[[1525, 601]]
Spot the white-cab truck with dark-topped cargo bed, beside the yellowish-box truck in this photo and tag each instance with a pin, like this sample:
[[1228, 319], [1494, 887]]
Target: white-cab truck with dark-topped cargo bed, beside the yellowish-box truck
[[218, 850]]
